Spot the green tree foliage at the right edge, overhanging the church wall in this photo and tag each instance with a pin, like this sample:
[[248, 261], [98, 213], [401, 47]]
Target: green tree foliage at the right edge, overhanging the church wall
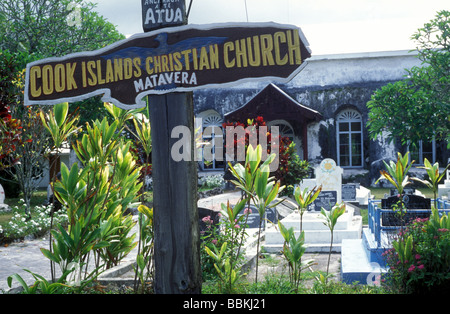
[[418, 108]]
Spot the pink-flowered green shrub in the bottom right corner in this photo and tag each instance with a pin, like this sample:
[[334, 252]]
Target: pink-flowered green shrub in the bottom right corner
[[420, 259]]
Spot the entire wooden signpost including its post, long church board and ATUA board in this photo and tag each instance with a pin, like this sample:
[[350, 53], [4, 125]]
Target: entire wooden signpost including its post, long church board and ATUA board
[[169, 61]]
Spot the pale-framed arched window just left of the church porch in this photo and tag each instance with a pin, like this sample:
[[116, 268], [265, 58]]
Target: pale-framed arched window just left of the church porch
[[212, 135]]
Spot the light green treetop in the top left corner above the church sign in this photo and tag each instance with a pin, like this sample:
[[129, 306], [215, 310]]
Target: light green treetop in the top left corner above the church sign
[[53, 28]]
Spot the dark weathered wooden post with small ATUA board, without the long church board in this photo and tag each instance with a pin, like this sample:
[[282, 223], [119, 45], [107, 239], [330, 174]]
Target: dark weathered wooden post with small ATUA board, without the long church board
[[175, 216]]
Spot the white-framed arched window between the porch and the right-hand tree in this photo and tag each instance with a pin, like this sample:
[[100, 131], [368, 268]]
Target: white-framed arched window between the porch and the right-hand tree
[[349, 139]]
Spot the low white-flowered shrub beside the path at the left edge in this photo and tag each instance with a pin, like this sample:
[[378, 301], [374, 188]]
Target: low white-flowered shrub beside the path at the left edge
[[21, 226]]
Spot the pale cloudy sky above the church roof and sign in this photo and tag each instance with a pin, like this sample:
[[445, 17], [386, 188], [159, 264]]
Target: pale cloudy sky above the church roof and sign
[[330, 26]]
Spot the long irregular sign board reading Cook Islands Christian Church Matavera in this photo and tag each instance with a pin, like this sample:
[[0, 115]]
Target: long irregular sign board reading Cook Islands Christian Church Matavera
[[175, 59]]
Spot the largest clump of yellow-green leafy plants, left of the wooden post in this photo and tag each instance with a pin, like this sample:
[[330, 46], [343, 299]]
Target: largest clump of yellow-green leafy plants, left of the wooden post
[[96, 198]]
